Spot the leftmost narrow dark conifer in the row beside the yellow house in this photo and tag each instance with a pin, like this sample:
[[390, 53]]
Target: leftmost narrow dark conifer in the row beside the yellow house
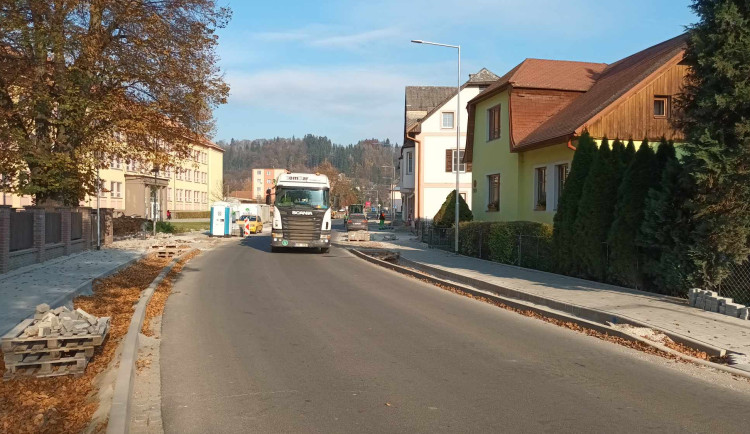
[[564, 237]]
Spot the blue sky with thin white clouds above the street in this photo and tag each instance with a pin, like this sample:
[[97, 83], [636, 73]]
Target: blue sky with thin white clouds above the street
[[338, 68]]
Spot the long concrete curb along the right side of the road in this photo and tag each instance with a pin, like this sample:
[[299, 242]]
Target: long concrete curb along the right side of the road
[[546, 310]]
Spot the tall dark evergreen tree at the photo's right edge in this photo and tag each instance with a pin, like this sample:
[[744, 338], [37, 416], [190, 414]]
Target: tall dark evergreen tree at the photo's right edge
[[715, 117]]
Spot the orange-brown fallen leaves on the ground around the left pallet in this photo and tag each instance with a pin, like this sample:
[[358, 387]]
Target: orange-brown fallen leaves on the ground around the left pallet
[[66, 404]]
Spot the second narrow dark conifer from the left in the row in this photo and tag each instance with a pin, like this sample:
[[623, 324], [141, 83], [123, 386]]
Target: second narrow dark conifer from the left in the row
[[595, 212]]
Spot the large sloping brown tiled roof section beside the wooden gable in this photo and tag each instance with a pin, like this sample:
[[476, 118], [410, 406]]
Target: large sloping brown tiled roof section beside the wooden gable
[[616, 80]]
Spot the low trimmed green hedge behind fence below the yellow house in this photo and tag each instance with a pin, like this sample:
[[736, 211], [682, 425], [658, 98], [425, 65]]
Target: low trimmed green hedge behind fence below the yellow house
[[499, 242]]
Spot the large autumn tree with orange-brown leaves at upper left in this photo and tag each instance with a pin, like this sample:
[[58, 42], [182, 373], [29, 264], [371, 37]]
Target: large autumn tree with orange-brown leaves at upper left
[[83, 81]]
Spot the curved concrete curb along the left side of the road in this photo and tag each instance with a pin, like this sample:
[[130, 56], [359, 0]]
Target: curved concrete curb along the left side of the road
[[119, 414]]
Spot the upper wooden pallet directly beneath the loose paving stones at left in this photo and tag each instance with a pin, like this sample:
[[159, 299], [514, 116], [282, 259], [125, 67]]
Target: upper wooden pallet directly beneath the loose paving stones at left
[[13, 341]]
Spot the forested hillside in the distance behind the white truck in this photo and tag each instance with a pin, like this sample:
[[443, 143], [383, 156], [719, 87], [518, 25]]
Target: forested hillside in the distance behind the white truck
[[363, 162]]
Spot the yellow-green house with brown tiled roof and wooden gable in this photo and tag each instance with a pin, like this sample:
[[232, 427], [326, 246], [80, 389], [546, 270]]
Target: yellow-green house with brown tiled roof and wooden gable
[[523, 129]]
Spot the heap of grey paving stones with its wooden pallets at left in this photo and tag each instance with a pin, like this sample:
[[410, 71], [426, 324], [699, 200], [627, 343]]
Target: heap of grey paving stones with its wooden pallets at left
[[54, 342]]
